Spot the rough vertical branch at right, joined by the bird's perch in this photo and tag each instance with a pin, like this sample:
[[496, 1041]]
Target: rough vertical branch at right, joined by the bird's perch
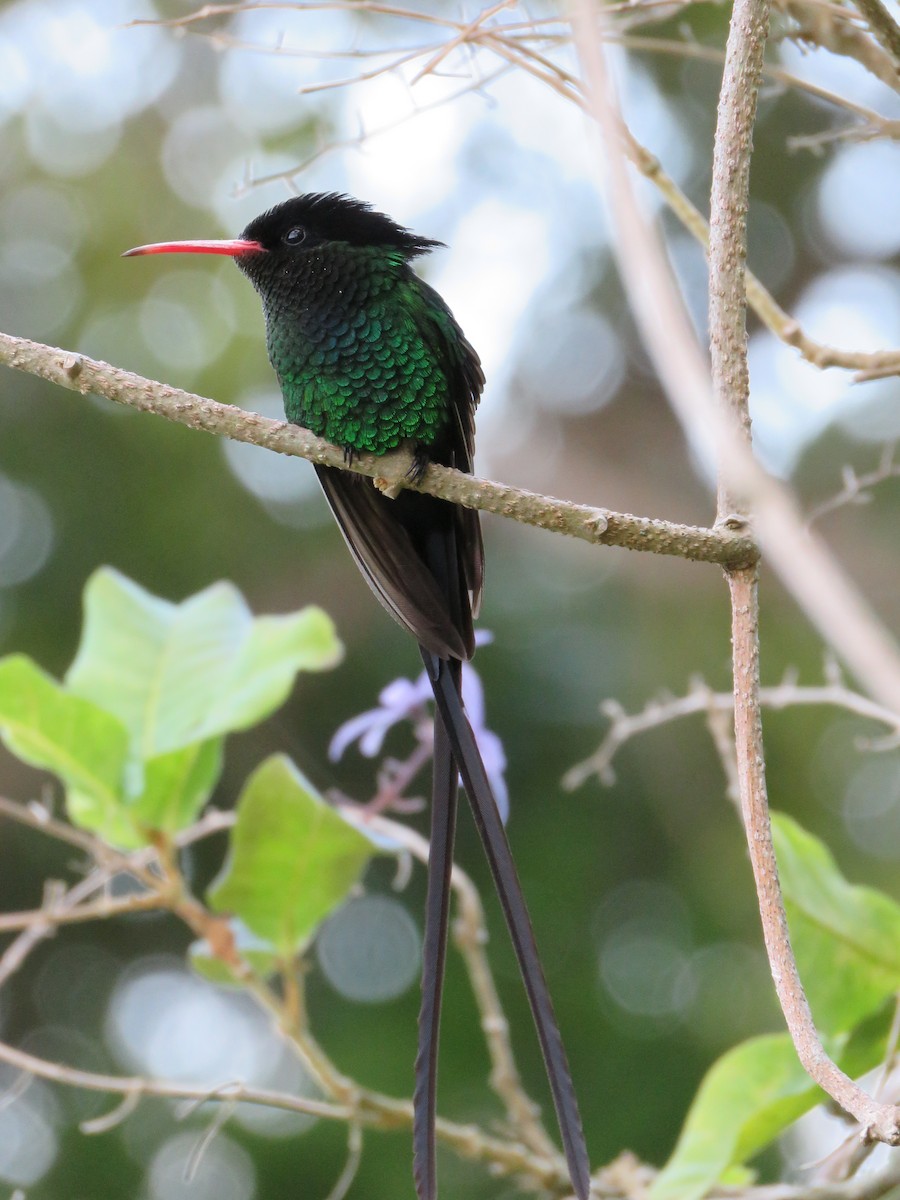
[[728, 333]]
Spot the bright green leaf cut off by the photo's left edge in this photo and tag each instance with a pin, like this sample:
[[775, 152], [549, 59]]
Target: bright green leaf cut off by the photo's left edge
[[46, 727]]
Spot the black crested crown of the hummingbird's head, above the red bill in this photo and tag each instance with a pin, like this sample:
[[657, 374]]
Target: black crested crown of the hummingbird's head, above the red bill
[[317, 218]]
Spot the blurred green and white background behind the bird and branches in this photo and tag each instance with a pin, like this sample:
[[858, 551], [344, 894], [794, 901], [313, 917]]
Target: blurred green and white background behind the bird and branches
[[113, 135]]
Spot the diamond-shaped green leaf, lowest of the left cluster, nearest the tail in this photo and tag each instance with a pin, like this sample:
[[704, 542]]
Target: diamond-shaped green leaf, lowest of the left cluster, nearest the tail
[[293, 859]]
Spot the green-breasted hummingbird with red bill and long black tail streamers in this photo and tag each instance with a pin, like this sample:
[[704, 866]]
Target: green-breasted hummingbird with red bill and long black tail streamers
[[371, 358]]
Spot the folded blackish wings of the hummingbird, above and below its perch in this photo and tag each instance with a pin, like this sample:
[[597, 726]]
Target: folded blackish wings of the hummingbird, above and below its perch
[[423, 557]]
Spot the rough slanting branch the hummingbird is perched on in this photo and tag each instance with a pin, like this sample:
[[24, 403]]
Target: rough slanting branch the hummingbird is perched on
[[725, 544]]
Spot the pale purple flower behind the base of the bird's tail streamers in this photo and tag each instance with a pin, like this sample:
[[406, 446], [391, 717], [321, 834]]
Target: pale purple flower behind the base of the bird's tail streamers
[[405, 700]]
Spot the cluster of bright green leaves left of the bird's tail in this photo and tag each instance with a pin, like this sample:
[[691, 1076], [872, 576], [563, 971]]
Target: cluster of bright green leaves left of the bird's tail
[[136, 735]]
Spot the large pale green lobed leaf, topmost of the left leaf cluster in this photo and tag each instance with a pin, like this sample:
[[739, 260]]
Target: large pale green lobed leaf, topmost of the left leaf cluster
[[177, 675]]
